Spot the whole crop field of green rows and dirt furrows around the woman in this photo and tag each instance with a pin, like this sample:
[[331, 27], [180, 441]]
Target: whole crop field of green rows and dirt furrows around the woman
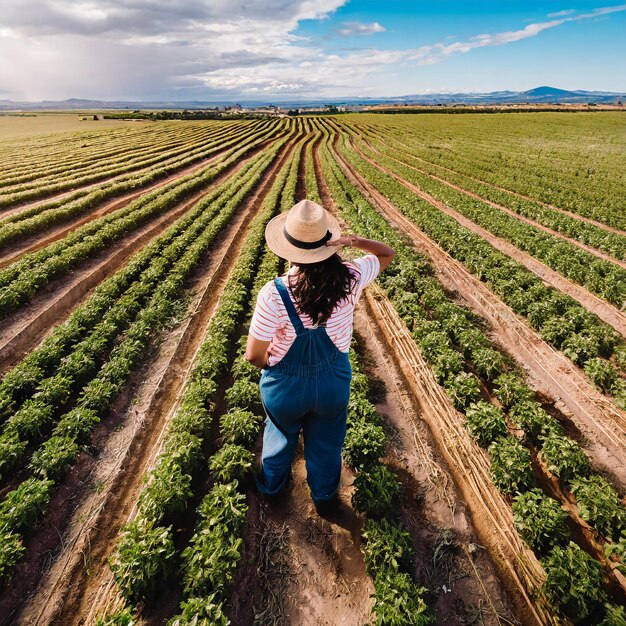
[[484, 475]]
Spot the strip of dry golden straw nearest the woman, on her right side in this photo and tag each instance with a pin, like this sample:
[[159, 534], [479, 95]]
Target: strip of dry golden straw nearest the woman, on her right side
[[490, 513]]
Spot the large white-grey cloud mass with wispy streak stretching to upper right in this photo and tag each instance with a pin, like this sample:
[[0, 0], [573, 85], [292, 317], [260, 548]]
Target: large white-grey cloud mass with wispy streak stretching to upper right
[[204, 49]]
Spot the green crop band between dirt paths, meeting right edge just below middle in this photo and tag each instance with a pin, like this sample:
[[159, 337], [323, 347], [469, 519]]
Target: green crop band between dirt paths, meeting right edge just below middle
[[558, 318]]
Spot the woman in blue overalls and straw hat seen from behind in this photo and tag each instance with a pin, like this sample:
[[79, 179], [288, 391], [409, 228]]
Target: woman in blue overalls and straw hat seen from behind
[[300, 335]]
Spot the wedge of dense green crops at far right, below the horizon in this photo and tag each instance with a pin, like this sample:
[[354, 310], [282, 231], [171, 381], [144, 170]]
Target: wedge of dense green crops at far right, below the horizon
[[547, 157]]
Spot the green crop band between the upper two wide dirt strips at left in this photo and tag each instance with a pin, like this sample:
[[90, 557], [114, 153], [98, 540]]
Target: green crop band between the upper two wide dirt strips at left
[[22, 280]]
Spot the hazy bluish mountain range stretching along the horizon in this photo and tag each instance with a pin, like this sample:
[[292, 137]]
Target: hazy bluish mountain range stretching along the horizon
[[538, 95]]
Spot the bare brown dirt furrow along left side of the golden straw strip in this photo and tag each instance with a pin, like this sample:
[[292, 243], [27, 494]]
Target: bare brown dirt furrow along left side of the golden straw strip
[[465, 582]]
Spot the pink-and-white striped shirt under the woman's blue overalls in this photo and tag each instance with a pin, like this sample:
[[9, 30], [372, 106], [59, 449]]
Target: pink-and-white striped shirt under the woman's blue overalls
[[270, 321]]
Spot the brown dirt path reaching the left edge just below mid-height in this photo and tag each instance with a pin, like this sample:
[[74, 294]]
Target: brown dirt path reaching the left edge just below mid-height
[[22, 330]]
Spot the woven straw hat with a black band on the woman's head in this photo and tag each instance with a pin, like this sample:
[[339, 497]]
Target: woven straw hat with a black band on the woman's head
[[300, 234]]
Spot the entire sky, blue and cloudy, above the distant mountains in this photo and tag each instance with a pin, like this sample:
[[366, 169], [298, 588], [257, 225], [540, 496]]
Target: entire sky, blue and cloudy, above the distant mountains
[[304, 49]]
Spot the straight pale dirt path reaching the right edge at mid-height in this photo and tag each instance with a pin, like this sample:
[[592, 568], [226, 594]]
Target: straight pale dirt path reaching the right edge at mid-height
[[605, 311]]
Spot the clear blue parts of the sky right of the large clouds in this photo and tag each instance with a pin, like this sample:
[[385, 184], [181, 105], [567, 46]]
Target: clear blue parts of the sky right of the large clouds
[[580, 54]]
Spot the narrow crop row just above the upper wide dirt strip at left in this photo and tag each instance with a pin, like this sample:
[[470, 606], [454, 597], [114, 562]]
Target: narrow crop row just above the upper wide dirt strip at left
[[27, 223]]
